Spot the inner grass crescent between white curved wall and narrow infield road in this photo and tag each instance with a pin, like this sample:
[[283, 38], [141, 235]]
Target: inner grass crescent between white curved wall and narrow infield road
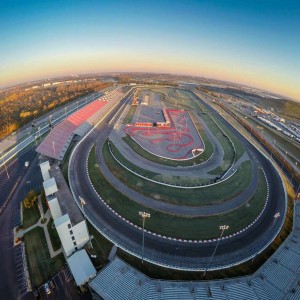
[[196, 197]]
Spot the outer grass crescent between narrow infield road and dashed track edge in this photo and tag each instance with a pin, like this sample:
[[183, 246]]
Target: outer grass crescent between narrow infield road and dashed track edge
[[176, 226]]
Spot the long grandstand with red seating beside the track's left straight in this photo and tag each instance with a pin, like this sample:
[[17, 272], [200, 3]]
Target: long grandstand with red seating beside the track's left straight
[[58, 140]]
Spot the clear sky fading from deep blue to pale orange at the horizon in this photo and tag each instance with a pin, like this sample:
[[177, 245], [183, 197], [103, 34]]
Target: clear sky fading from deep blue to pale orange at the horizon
[[251, 42]]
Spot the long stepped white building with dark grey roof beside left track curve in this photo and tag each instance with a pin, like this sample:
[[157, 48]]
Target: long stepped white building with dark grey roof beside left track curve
[[68, 219]]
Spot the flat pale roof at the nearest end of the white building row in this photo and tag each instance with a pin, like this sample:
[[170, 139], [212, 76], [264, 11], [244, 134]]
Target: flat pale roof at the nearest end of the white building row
[[81, 267]]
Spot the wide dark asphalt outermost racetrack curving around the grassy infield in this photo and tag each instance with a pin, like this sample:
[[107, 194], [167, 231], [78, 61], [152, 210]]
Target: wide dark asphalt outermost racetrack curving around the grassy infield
[[169, 252]]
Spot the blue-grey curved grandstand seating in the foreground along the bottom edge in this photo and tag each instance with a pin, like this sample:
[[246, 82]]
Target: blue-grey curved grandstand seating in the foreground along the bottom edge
[[278, 278]]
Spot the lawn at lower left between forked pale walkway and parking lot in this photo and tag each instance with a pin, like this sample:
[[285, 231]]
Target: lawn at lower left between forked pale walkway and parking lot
[[41, 267]]
